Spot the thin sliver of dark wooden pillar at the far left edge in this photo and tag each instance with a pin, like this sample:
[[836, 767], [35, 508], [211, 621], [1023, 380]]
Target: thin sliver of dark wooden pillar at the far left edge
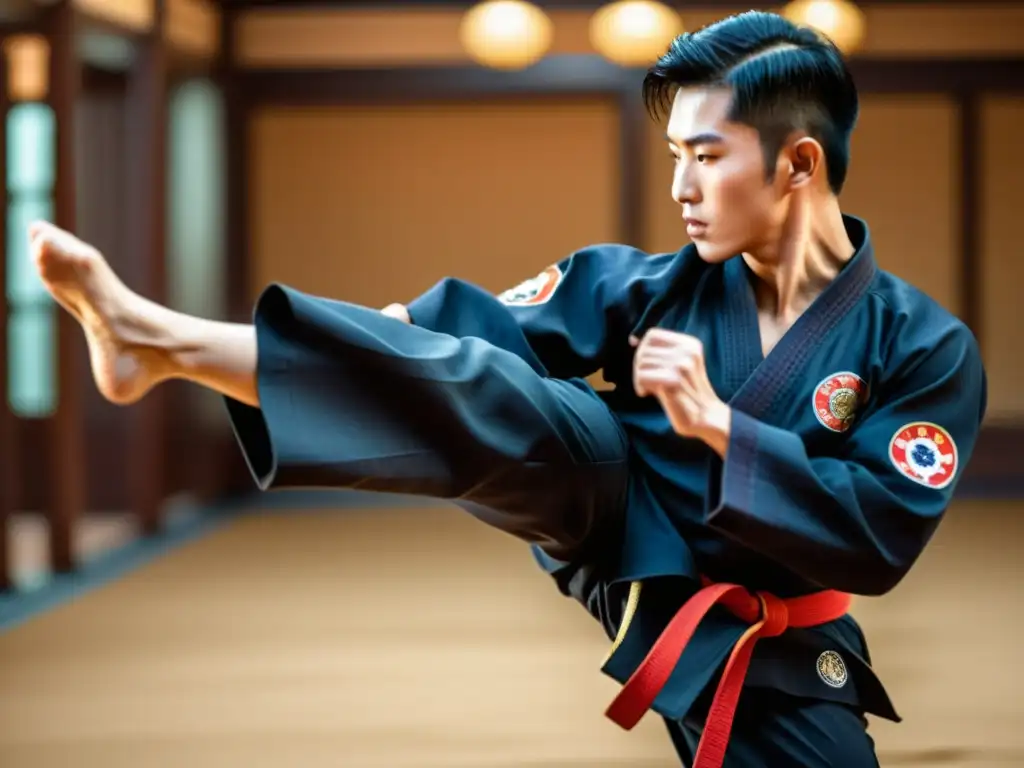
[[9, 474]]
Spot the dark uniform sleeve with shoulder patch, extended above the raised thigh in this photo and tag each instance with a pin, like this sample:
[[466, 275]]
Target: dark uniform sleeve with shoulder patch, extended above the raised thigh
[[568, 314]]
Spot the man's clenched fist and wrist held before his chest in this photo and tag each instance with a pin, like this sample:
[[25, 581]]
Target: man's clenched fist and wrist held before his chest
[[670, 367]]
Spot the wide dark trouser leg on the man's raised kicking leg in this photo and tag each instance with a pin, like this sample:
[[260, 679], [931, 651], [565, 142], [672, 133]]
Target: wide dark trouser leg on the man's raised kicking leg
[[351, 399]]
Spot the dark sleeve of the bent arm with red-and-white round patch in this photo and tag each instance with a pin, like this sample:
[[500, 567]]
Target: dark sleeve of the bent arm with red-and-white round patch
[[858, 523]]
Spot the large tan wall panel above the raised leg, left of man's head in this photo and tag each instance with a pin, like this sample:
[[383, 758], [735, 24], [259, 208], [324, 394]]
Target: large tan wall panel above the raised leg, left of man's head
[[374, 204]]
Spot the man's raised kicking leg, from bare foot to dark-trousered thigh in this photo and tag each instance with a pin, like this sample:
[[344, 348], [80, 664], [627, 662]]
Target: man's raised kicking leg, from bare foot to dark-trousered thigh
[[330, 395]]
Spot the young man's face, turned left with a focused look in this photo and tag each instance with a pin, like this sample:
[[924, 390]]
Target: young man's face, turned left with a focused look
[[729, 205]]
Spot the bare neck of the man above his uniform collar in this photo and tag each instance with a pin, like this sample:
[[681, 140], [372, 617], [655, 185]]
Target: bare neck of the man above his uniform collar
[[812, 250]]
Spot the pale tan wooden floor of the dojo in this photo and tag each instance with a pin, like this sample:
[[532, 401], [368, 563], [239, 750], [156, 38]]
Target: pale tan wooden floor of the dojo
[[416, 637]]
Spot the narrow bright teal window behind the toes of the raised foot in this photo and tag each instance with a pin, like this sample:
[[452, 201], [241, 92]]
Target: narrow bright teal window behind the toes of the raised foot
[[32, 320]]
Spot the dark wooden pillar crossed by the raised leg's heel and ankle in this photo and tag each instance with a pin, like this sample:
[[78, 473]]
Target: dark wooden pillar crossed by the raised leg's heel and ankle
[[145, 219]]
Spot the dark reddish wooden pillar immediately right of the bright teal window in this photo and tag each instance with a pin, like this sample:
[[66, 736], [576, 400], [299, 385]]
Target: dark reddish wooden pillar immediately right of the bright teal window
[[67, 456]]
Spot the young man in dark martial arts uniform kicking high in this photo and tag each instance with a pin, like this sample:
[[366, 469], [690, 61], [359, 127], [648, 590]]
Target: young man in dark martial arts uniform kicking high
[[788, 423]]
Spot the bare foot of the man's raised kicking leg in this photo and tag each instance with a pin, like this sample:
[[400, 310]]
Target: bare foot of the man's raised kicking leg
[[124, 365]]
